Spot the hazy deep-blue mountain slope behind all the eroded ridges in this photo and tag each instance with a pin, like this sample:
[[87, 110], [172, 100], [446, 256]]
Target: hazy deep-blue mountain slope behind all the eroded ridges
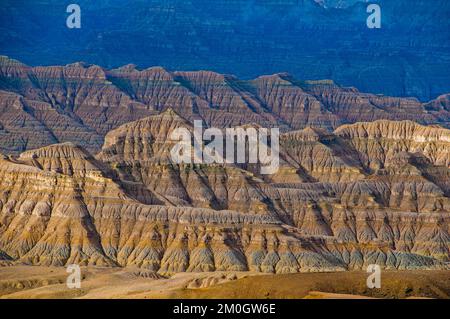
[[408, 56]]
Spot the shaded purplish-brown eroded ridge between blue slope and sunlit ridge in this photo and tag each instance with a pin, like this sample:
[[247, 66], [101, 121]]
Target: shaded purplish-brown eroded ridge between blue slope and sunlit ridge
[[81, 103]]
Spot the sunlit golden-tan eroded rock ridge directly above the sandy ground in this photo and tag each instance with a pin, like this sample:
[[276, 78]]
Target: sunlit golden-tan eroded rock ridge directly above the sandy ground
[[132, 205]]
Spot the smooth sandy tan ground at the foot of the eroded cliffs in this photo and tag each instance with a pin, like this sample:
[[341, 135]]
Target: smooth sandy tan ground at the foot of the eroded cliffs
[[48, 282]]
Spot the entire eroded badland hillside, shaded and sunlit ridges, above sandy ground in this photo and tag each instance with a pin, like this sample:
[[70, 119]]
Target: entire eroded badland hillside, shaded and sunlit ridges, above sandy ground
[[79, 185]]
